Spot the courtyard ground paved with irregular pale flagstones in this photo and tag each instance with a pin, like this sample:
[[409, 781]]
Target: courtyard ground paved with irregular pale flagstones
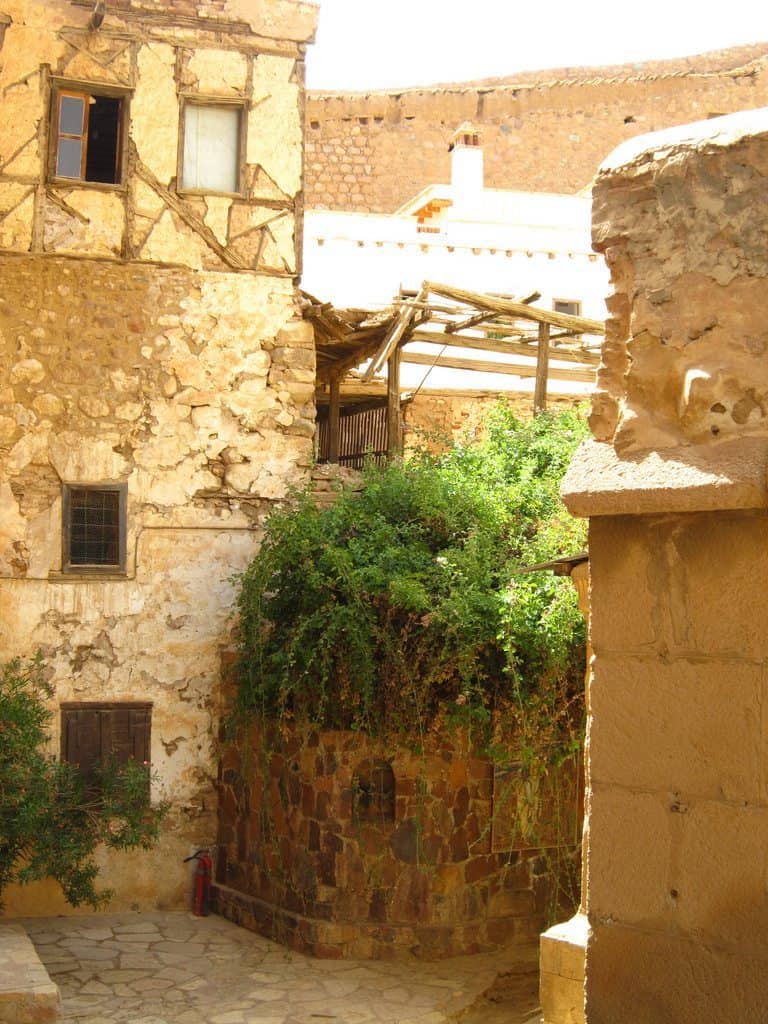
[[177, 969]]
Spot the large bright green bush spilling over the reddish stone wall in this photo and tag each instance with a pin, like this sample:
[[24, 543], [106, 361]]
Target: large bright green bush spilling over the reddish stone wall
[[402, 605]]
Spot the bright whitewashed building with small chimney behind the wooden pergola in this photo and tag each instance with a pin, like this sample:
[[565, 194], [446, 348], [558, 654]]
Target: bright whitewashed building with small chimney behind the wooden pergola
[[485, 240]]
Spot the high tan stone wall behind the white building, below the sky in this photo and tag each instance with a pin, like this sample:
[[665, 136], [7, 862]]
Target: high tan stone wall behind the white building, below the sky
[[543, 132]]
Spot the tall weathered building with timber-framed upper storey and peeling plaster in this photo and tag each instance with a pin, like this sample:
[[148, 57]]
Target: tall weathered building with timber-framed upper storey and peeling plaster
[[156, 379]]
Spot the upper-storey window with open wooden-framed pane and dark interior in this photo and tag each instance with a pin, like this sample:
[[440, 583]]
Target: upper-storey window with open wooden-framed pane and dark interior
[[88, 136]]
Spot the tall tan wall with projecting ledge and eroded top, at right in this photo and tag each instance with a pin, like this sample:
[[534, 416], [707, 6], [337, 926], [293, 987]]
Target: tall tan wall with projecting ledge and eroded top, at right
[[675, 488]]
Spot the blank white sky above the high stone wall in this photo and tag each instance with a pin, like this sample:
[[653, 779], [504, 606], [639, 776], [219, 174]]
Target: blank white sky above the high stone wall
[[374, 45]]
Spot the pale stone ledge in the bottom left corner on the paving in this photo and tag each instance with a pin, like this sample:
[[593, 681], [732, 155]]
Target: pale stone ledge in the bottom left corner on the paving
[[27, 994]]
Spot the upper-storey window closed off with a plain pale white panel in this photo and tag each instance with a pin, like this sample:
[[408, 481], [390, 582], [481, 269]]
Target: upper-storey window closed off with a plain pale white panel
[[211, 148]]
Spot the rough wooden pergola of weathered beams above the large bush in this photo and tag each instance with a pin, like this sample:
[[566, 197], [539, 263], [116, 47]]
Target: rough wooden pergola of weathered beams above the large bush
[[537, 344]]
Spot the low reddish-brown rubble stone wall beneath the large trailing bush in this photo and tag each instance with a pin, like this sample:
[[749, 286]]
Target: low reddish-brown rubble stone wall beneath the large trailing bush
[[302, 859]]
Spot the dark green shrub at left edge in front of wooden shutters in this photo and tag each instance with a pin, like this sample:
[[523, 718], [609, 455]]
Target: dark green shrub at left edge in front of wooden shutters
[[51, 825]]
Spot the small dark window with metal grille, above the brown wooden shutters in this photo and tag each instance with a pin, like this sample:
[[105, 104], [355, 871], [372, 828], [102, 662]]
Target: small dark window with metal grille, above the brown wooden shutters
[[94, 529]]
